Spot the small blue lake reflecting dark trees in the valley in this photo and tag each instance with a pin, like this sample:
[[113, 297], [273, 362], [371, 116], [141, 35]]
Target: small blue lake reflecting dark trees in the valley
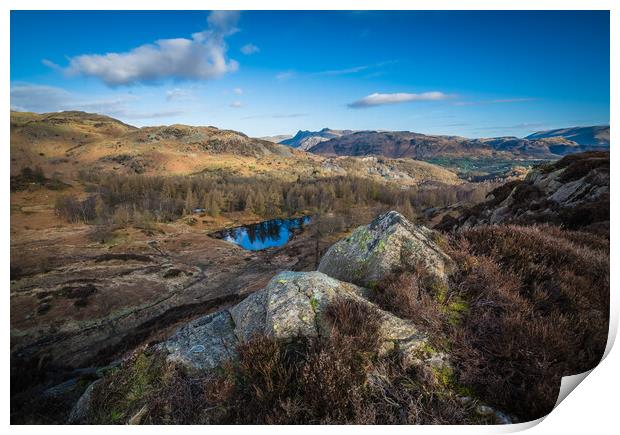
[[263, 235]]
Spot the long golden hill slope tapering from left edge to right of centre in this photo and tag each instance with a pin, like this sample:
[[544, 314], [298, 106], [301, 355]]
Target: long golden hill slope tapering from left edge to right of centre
[[67, 142]]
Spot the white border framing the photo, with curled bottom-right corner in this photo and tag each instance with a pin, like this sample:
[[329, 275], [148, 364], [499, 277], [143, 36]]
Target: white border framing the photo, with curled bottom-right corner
[[592, 408]]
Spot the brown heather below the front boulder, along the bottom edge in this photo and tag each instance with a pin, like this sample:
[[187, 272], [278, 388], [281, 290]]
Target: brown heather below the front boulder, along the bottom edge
[[337, 380]]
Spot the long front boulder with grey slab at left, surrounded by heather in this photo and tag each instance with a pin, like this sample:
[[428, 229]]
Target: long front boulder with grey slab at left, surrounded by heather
[[292, 305]]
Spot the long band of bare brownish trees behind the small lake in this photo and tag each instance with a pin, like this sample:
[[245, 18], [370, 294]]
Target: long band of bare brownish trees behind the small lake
[[142, 199]]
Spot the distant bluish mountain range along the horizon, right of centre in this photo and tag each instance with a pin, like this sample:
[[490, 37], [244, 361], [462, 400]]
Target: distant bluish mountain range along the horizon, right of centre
[[398, 144]]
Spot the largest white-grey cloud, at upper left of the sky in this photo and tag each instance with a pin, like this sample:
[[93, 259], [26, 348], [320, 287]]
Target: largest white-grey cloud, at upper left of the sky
[[200, 58]]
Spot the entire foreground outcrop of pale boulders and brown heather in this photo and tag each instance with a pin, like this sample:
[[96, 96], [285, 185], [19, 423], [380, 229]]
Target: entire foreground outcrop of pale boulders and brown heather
[[398, 325]]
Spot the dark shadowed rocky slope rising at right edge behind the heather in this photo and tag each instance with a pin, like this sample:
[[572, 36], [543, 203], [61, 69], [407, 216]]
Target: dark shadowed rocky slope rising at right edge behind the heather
[[572, 192]]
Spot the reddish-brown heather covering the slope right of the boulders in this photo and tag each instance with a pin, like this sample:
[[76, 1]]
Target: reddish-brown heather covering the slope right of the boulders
[[528, 306]]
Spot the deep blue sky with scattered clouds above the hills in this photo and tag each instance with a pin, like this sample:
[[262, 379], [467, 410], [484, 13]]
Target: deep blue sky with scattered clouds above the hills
[[467, 73]]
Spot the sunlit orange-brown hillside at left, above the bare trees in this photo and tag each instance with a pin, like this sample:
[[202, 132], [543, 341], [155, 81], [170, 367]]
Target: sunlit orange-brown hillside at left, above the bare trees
[[67, 141]]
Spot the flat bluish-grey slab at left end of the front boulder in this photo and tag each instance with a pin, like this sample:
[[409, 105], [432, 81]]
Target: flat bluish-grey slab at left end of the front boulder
[[204, 343]]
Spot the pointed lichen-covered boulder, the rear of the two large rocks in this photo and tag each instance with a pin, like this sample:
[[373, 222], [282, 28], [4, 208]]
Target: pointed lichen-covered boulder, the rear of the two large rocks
[[389, 242]]
